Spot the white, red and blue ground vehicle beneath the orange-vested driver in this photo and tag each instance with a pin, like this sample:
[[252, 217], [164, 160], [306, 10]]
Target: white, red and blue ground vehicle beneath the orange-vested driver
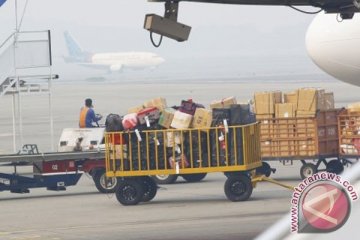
[[78, 152]]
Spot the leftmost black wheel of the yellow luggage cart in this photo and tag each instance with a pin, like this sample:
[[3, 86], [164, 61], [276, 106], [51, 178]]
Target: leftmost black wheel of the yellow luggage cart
[[129, 192]]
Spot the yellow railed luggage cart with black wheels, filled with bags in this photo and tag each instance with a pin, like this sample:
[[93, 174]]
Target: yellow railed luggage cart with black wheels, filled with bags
[[234, 150]]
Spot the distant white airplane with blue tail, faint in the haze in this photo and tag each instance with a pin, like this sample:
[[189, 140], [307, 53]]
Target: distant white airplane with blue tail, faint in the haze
[[113, 62]]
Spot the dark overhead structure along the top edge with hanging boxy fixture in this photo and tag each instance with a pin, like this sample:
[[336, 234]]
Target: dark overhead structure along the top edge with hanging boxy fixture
[[168, 25]]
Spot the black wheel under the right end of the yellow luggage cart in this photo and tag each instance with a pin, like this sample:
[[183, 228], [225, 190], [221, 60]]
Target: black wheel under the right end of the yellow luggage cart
[[238, 188]]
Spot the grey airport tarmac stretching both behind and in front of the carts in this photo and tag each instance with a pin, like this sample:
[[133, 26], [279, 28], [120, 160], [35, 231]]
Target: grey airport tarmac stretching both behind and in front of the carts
[[179, 211]]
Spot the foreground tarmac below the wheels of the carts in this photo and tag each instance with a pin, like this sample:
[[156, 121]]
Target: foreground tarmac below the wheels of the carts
[[179, 211]]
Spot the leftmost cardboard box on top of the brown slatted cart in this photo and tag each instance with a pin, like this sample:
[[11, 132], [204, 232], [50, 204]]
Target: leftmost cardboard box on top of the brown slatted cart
[[265, 102]]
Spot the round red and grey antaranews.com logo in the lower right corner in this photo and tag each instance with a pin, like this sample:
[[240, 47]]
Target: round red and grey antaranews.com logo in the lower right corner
[[321, 203]]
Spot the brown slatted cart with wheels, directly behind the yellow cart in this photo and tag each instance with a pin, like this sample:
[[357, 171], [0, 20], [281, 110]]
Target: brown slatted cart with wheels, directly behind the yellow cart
[[311, 140]]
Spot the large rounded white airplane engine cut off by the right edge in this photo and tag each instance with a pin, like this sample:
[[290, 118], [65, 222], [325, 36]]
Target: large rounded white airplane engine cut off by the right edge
[[333, 45]]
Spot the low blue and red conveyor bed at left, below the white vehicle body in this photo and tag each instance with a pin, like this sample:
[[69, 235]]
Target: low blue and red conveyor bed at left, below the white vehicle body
[[52, 170]]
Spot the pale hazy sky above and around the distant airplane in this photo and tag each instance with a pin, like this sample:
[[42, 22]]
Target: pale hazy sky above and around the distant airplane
[[218, 30]]
